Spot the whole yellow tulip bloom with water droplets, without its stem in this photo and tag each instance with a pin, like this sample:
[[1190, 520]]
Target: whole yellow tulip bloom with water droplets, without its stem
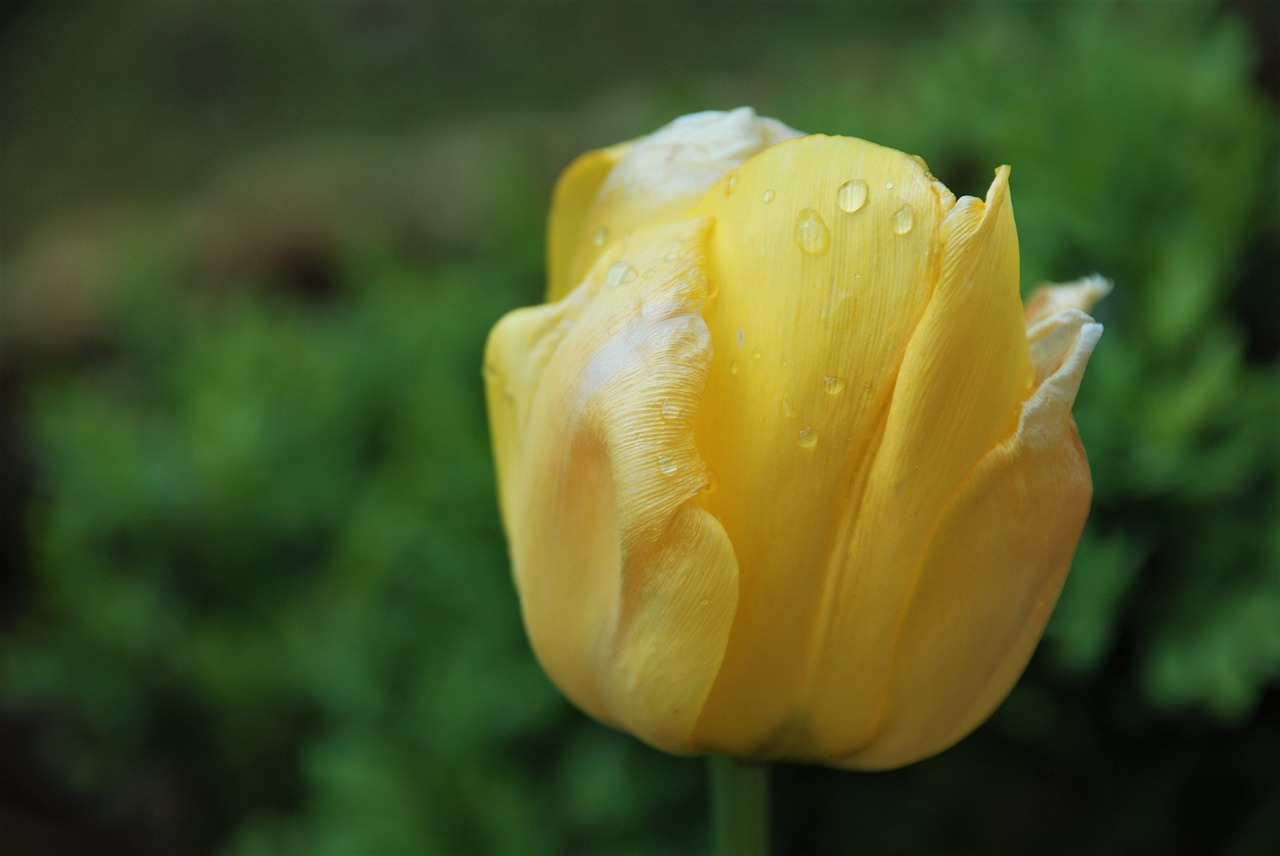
[[787, 469]]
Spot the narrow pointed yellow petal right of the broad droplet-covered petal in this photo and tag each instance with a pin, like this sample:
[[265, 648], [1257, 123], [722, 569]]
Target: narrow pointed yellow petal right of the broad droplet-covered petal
[[964, 376]]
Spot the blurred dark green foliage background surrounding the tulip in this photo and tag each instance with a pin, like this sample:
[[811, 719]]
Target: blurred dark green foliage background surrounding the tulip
[[254, 593]]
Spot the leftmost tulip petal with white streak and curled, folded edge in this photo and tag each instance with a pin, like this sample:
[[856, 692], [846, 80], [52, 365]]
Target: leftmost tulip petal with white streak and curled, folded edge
[[628, 587]]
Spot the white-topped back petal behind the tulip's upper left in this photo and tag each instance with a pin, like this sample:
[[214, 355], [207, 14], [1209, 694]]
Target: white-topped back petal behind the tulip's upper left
[[651, 180]]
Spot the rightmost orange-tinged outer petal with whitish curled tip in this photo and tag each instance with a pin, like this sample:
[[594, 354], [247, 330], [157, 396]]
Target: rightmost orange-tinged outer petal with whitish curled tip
[[994, 571]]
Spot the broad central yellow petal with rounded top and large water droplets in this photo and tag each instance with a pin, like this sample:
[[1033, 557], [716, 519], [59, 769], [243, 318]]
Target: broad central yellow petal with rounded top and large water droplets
[[817, 296]]
